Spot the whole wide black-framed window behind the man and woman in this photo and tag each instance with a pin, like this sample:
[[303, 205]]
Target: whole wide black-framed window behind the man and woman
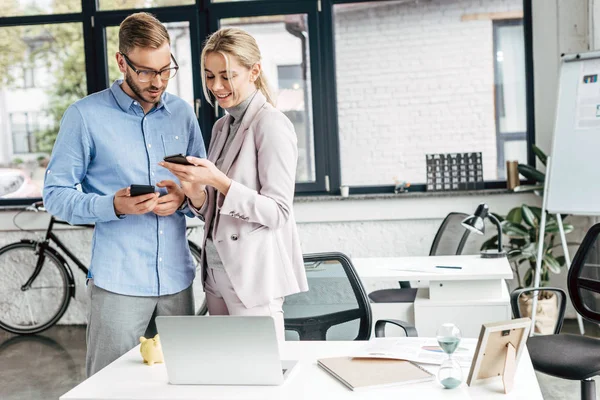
[[371, 87]]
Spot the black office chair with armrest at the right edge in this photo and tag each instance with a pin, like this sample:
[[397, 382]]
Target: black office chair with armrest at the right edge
[[565, 356]]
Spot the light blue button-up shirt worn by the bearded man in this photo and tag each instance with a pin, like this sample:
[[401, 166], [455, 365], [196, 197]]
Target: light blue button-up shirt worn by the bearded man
[[106, 143]]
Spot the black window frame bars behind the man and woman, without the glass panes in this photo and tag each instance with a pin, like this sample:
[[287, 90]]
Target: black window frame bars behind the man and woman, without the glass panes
[[204, 15]]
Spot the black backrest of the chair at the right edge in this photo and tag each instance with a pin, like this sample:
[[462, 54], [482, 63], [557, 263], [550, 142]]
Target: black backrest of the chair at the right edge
[[584, 277]]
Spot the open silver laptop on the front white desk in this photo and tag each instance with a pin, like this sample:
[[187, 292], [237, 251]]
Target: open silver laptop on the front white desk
[[222, 350]]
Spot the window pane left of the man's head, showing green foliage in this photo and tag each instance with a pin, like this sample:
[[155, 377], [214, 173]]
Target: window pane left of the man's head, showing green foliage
[[32, 103]]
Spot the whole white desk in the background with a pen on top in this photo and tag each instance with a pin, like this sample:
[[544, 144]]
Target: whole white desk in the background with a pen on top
[[469, 297]]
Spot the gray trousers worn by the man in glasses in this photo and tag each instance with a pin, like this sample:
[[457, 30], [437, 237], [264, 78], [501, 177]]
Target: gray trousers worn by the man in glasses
[[116, 322]]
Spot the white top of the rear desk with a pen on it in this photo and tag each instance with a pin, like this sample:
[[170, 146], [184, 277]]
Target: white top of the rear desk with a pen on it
[[424, 268]]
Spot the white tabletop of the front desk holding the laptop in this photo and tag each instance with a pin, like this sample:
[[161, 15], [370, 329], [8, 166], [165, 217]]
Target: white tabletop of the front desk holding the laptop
[[128, 378]]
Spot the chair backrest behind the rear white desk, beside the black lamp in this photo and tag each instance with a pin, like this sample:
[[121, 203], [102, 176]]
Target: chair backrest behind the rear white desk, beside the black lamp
[[451, 236]]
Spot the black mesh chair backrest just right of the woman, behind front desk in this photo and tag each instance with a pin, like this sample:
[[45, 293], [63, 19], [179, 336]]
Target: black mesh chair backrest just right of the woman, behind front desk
[[335, 307]]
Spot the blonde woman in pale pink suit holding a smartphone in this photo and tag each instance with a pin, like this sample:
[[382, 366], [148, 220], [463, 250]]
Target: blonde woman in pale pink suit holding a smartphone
[[245, 189]]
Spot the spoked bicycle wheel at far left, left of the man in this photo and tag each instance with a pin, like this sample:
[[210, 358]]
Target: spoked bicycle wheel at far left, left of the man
[[32, 310]]
